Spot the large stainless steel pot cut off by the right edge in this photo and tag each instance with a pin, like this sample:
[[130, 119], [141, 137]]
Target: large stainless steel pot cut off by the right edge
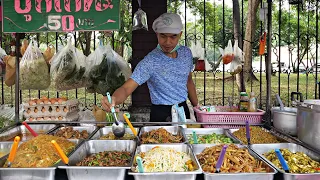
[[308, 123]]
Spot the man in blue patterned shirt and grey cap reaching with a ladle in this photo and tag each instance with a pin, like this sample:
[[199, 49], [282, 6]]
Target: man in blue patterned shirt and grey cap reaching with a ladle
[[167, 71]]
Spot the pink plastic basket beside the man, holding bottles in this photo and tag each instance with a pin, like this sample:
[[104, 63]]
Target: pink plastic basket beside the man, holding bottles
[[223, 116]]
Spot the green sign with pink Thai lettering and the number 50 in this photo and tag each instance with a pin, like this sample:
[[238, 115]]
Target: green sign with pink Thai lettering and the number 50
[[60, 15]]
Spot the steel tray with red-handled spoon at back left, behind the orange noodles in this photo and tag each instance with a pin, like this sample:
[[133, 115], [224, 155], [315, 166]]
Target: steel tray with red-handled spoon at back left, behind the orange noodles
[[39, 128]]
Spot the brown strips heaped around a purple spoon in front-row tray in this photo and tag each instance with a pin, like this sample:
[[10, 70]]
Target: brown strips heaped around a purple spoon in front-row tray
[[236, 160]]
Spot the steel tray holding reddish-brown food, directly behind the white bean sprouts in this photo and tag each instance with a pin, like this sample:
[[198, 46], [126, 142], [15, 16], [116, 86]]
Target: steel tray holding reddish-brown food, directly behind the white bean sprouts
[[175, 130]]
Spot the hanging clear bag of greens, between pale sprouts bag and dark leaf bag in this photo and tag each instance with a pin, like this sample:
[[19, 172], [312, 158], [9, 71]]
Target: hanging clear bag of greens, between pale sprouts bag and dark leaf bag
[[68, 68]]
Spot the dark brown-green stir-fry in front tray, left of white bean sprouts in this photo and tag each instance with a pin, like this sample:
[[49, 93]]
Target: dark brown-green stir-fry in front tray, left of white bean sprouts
[[107, 158]]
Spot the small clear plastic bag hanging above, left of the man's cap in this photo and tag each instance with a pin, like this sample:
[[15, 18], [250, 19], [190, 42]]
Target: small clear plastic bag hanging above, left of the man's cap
[[140, 19]]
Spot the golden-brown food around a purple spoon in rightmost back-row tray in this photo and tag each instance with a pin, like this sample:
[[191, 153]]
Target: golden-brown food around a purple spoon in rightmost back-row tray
[[258, 136]]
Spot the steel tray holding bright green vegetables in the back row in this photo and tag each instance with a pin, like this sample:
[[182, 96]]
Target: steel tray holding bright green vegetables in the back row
[[205, 131]]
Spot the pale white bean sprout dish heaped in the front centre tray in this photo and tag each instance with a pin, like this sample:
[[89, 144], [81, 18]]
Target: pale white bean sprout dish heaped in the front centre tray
[[164, 159]]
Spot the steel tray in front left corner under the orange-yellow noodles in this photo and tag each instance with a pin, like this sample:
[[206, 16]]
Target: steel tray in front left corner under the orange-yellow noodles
[[47, 173]]
